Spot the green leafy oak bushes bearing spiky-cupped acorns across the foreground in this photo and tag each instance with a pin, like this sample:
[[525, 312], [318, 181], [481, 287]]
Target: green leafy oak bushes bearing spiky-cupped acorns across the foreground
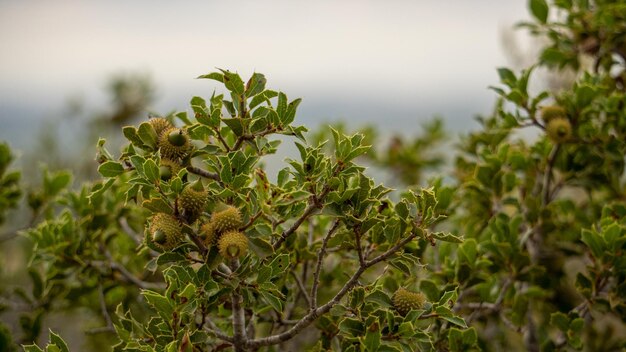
[[187, 245]]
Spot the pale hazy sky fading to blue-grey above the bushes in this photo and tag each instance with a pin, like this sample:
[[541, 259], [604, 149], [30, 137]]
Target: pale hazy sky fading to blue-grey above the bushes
[[392, 63]]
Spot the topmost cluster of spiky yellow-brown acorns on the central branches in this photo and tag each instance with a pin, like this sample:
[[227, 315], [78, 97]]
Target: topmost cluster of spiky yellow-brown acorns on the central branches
[[174, 145]]
